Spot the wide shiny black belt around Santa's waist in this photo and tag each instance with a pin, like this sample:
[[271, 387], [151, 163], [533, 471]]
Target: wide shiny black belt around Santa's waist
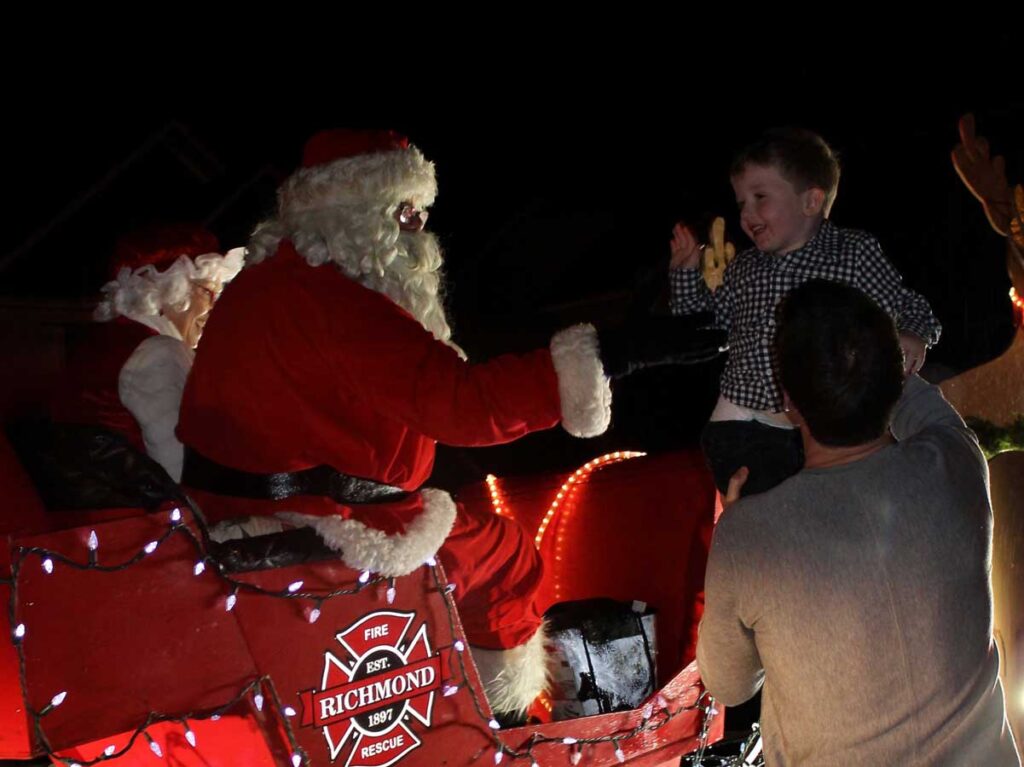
[[204, 475]]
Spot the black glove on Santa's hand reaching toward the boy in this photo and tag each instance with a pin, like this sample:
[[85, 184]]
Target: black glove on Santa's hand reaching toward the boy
[[652, 342]]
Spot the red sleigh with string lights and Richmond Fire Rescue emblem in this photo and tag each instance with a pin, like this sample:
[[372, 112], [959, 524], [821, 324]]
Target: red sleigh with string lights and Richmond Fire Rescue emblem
[[136, 646]]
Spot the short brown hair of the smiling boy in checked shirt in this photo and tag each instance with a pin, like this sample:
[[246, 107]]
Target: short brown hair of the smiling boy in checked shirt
[[801, 156]]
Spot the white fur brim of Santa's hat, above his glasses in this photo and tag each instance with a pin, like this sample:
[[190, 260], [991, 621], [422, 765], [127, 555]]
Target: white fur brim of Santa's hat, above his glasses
[[388, 178]]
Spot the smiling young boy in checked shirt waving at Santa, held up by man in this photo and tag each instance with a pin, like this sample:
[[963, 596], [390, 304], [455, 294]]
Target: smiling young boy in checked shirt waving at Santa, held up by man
[[786, 184]]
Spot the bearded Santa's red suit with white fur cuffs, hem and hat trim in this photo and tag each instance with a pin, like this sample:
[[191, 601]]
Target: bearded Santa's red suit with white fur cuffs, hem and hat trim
[[304, 366]]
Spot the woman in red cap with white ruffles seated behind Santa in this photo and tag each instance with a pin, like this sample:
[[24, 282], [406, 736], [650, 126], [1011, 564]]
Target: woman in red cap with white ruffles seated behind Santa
[[126, 372]]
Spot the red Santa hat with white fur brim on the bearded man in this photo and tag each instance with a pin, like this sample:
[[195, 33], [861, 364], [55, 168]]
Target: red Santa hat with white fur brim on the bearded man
[[357, 168]]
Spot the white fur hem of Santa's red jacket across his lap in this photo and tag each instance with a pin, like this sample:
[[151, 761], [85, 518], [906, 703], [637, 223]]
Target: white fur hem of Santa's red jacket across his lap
[[364, 548]]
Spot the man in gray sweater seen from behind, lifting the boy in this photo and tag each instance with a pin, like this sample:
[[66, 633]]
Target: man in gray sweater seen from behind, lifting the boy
[[858, 592]]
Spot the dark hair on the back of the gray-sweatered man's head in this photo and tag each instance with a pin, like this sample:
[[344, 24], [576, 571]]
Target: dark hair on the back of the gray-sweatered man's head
[[840, 361]]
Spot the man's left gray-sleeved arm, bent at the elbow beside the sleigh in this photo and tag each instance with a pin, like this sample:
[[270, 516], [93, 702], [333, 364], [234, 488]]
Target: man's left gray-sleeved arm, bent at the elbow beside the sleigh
[[728, 655]]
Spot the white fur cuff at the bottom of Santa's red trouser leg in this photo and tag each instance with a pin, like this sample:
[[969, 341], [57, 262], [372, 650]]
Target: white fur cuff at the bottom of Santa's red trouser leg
[[514, 678]]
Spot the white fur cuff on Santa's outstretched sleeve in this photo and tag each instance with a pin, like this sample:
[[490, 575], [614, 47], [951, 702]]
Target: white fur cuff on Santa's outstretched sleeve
[[585, 391]]
